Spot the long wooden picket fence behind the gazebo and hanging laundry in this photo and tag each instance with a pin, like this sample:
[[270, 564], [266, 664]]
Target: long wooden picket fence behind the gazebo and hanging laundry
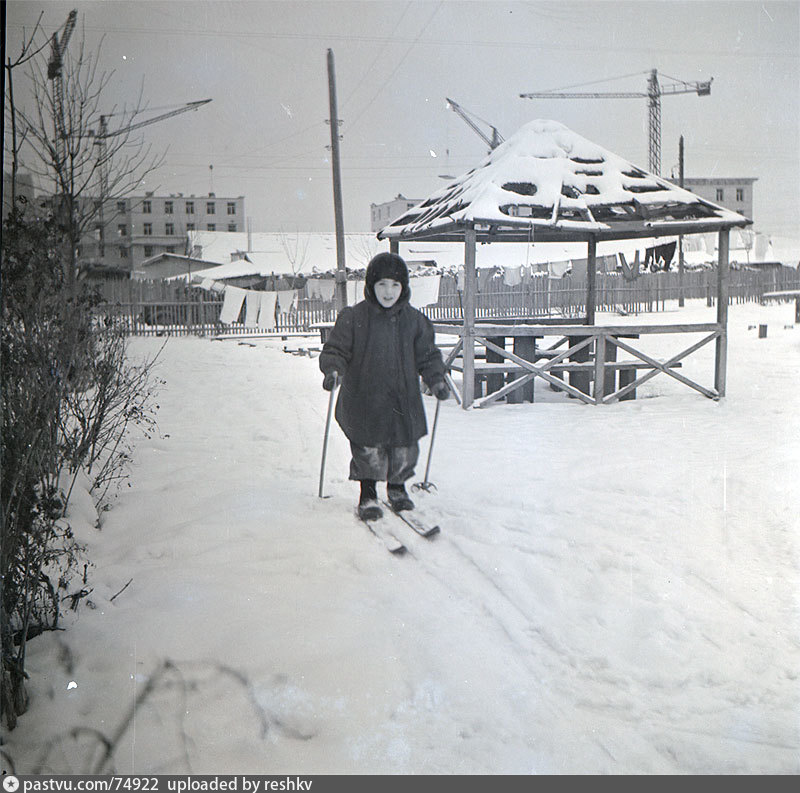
[[146, 308]]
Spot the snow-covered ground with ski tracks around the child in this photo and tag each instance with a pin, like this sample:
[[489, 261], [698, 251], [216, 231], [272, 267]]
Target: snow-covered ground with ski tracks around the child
[[615, 590]]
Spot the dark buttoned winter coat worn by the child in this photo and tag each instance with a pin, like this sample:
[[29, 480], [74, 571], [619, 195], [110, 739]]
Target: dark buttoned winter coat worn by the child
[[381, 354]]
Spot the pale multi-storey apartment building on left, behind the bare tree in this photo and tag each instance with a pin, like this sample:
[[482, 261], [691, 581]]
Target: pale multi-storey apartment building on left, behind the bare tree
[[133, 229]]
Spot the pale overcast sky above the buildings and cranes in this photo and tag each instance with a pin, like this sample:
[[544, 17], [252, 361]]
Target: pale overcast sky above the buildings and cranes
[[263, 64]]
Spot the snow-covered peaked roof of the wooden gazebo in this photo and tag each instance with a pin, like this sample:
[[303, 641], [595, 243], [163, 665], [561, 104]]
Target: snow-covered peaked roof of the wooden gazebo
[[548, 183]]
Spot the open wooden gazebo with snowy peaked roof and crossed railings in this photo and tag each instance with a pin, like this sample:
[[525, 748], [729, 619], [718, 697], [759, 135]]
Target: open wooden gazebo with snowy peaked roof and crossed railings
[[548, 184]]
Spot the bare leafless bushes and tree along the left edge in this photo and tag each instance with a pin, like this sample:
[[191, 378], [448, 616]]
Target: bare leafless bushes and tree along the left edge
[[69, 396]]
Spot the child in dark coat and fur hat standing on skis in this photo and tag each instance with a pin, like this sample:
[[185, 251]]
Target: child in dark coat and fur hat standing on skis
[[378, 349]]
